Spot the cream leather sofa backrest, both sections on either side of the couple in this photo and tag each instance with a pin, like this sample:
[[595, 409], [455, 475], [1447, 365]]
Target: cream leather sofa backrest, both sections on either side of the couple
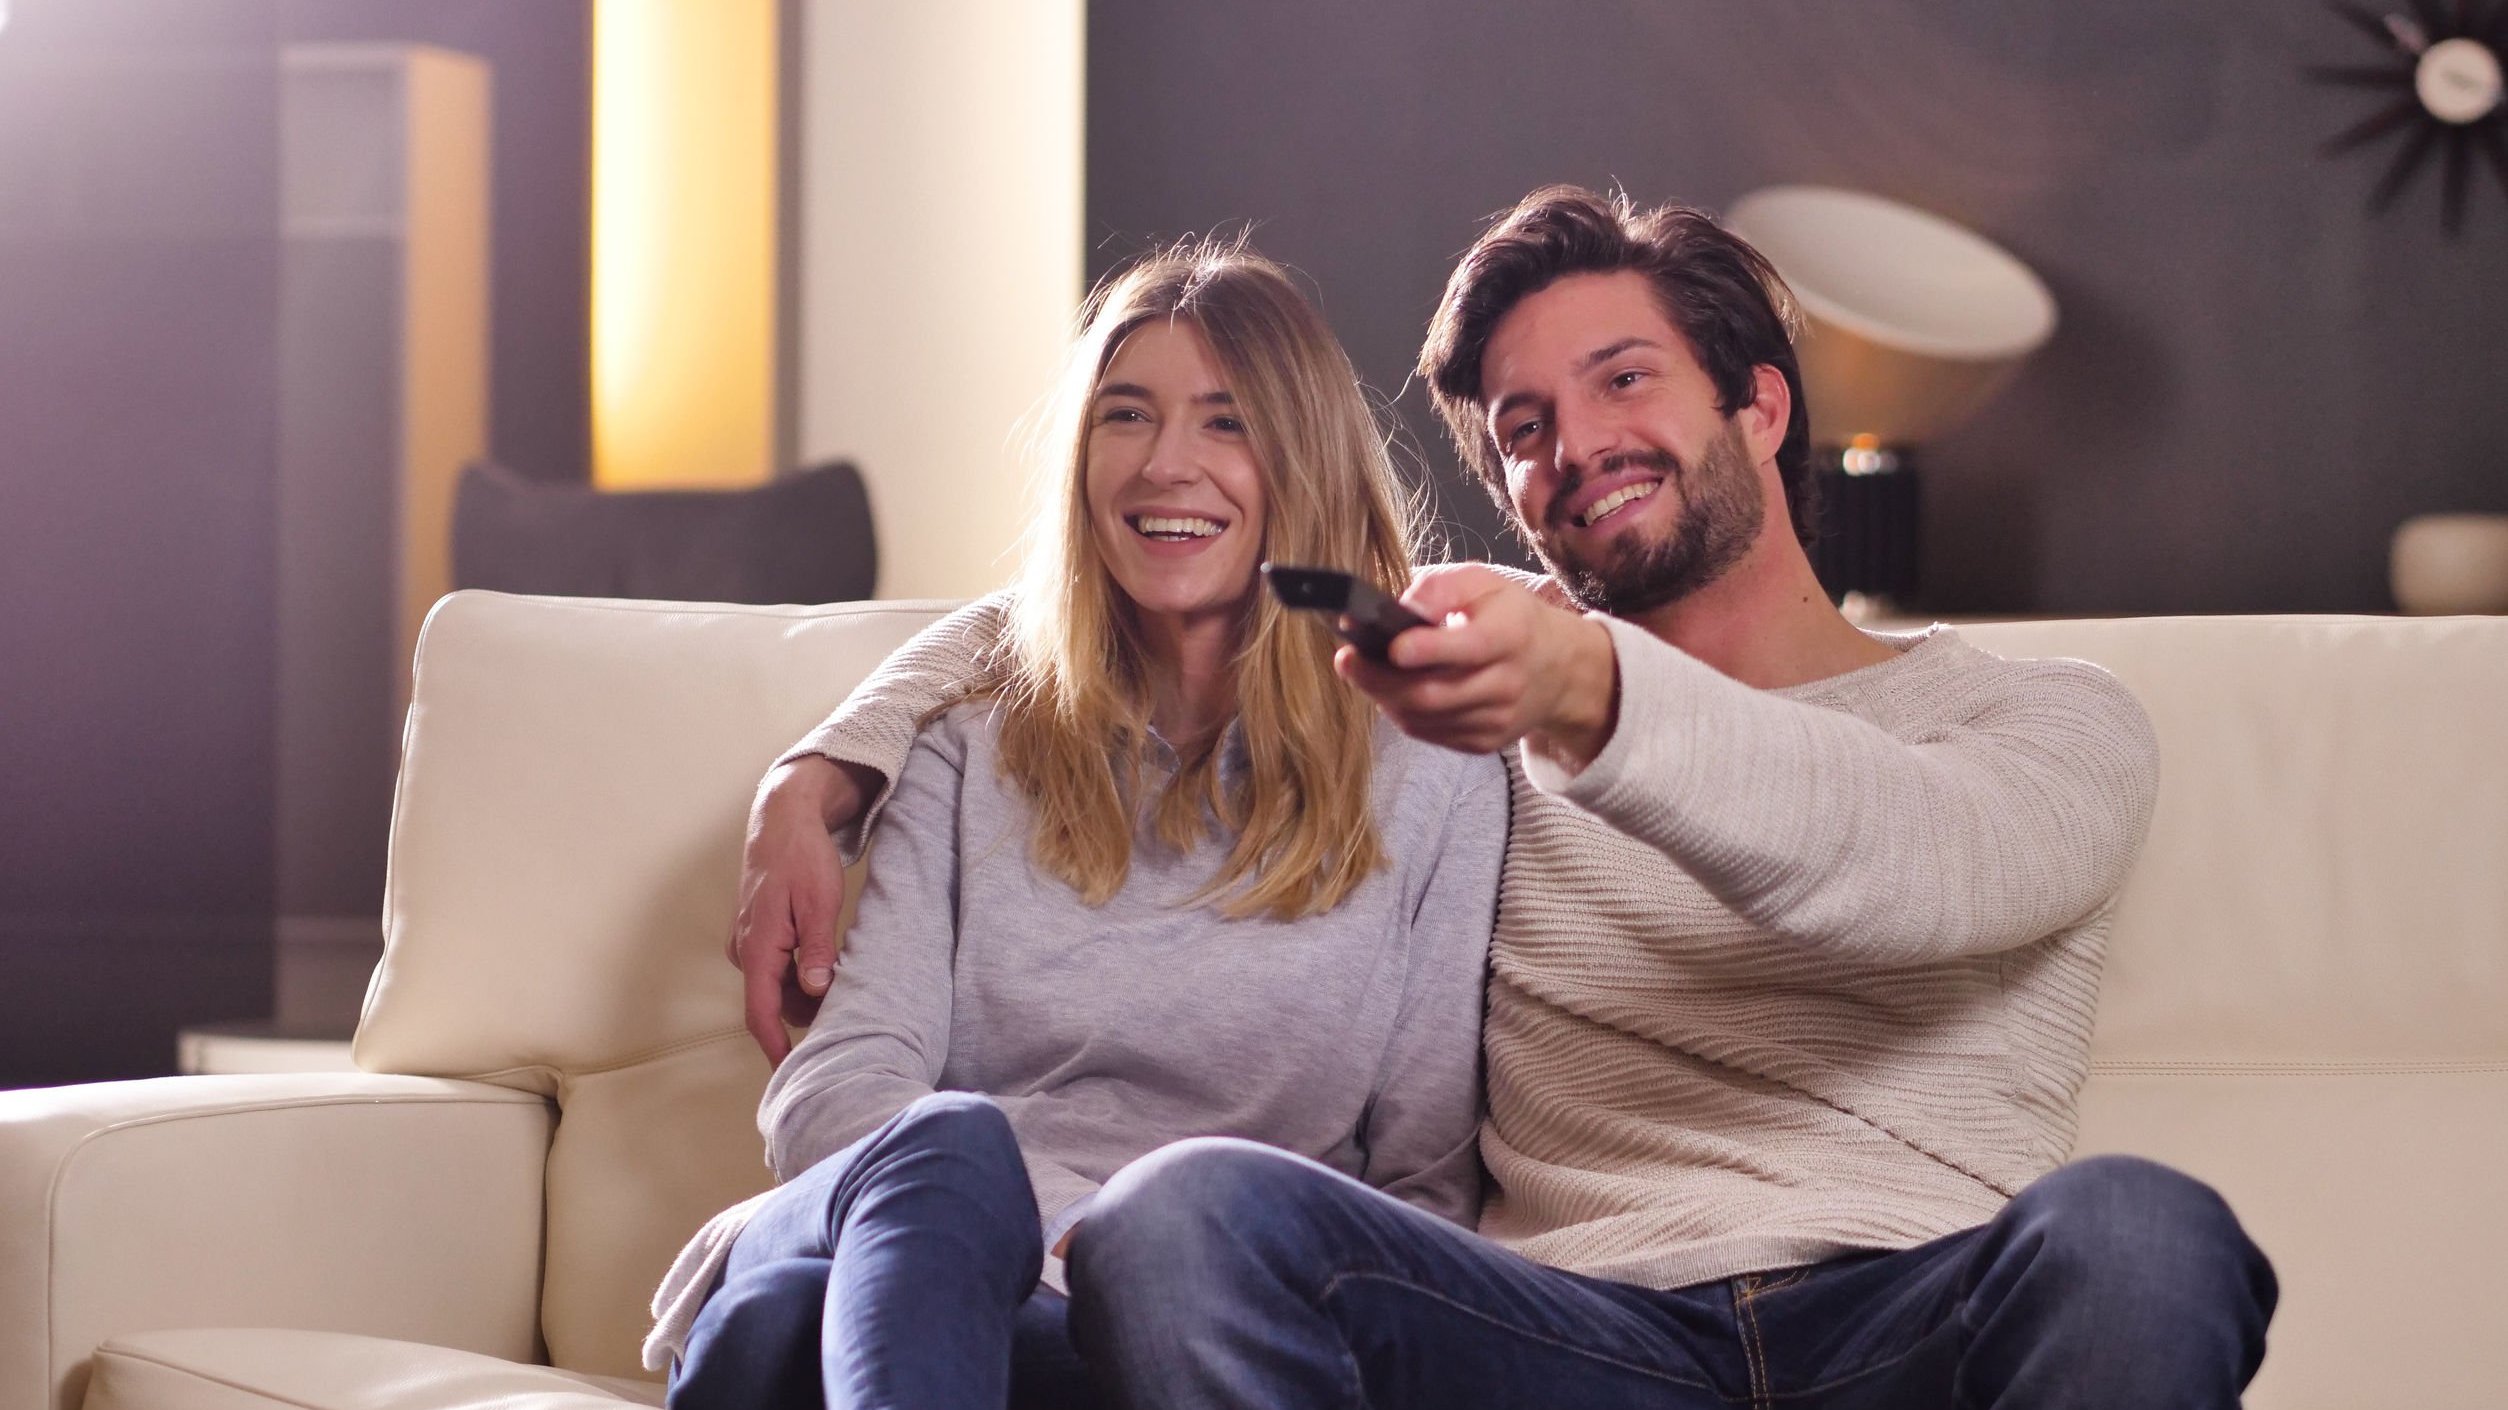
[[2306, 995]]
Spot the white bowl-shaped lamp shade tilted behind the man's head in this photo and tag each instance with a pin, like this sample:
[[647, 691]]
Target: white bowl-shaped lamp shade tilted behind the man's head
[[1910, 322]]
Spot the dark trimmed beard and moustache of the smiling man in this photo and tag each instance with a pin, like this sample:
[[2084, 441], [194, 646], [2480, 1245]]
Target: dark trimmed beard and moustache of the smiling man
[[1722, 511]]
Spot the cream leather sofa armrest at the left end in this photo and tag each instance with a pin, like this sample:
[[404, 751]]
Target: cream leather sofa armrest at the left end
[[352, 1203]]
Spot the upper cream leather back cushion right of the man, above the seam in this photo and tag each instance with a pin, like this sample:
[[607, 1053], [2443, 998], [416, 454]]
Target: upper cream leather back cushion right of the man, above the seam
[[2326, 877]]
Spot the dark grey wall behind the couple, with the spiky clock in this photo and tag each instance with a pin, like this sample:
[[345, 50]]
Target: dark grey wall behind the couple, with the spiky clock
[[2253, 385]]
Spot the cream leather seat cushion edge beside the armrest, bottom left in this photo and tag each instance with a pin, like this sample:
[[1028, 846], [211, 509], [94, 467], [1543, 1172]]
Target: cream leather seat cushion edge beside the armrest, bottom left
[[250, 1369]]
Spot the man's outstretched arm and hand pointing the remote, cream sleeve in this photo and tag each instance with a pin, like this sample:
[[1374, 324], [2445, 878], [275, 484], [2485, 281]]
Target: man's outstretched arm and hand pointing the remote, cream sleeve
[[2015, 819]]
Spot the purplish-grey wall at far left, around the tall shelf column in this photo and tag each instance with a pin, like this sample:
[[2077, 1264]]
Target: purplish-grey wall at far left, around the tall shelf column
[[139, 388]]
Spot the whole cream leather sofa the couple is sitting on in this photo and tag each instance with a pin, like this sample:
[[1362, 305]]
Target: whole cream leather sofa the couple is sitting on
[[2306, 1005]]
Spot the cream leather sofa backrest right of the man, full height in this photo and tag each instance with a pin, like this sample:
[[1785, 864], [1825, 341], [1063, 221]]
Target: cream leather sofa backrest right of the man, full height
[[2306, 995]]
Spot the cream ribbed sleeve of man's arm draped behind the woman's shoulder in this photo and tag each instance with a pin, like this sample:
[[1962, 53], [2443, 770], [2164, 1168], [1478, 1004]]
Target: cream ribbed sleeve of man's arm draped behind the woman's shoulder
[[877, 726]]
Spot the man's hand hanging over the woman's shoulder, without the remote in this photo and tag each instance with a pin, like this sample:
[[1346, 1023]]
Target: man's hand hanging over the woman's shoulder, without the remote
[[794, 892]]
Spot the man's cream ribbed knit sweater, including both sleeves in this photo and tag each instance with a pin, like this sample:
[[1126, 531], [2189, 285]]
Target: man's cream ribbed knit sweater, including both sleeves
[[1782, 975]]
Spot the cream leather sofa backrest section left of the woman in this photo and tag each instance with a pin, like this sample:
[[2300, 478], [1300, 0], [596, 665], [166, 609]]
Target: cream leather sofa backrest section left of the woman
[[566, 859]]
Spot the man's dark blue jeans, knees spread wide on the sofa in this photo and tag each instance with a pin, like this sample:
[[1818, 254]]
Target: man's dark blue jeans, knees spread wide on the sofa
[[1225, 1273]]
